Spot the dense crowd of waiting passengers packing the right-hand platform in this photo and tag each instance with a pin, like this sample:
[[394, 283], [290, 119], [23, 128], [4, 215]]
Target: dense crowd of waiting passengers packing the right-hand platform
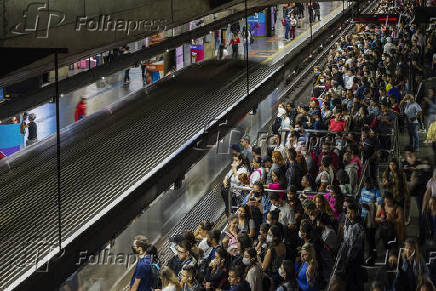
[[305, 212]]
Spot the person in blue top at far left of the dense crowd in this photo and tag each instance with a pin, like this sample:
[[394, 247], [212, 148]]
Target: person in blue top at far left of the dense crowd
[[142, 278]]
